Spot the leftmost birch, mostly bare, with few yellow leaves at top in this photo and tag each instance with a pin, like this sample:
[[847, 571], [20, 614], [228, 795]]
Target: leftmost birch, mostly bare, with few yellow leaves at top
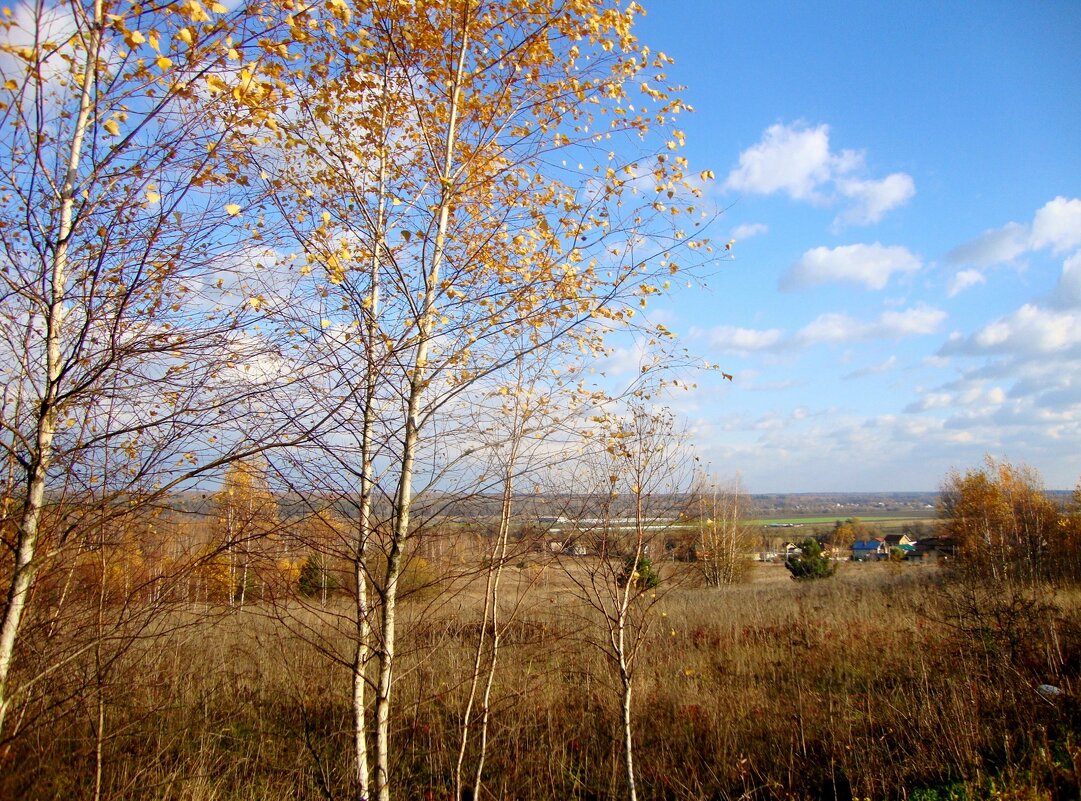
[[123, 298]]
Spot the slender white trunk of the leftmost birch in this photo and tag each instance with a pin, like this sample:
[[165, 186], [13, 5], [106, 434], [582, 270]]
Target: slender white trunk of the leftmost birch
[[39, 461]]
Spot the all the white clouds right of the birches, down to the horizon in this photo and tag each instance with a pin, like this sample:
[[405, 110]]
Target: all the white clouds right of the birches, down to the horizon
[[1007, 385]]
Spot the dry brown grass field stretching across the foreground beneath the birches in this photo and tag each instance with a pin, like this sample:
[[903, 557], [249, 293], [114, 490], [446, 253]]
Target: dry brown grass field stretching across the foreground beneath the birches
[[858, 687]]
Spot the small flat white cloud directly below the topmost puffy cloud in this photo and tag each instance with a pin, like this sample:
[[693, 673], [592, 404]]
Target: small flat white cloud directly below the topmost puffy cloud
[[871, 265]]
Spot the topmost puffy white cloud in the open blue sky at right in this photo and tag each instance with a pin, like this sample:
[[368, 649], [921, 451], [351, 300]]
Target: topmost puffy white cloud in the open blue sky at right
[[797, 162]]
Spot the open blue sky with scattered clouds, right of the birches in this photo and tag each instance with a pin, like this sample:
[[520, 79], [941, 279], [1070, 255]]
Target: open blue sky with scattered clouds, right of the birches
[[904, 185]]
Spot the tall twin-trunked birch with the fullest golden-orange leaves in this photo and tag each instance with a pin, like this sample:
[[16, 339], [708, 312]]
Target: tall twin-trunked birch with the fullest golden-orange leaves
[[466, 182]]
